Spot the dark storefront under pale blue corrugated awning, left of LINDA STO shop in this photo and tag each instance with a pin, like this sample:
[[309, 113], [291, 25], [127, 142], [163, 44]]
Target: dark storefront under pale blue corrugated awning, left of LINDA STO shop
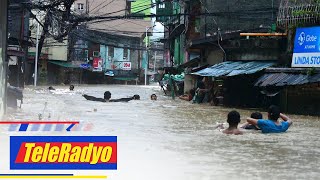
[[233, 82]]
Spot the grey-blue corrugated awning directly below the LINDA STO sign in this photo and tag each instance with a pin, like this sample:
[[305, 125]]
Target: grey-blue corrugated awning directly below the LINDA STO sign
[[286, 79]]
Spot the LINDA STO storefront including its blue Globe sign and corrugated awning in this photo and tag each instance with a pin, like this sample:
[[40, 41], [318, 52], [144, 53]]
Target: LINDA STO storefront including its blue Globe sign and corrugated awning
[[296, 89]]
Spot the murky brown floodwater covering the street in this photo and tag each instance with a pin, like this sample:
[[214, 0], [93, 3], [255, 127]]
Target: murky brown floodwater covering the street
[[175, 139]]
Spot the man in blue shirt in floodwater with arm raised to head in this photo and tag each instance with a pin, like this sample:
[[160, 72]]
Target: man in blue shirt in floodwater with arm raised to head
[[272, 125]]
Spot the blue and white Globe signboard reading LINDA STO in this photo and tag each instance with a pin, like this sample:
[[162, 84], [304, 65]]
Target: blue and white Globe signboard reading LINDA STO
[[306, 52]]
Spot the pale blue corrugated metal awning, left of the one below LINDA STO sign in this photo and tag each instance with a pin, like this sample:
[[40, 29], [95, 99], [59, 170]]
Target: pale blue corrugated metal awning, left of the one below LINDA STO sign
[[233, 68]]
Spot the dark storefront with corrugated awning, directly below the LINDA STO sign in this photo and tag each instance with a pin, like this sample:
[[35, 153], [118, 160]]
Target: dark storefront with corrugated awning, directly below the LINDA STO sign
[[295, 90]]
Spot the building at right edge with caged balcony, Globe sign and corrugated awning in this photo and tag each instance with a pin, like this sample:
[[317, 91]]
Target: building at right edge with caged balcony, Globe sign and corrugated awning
[[297, 86]]
